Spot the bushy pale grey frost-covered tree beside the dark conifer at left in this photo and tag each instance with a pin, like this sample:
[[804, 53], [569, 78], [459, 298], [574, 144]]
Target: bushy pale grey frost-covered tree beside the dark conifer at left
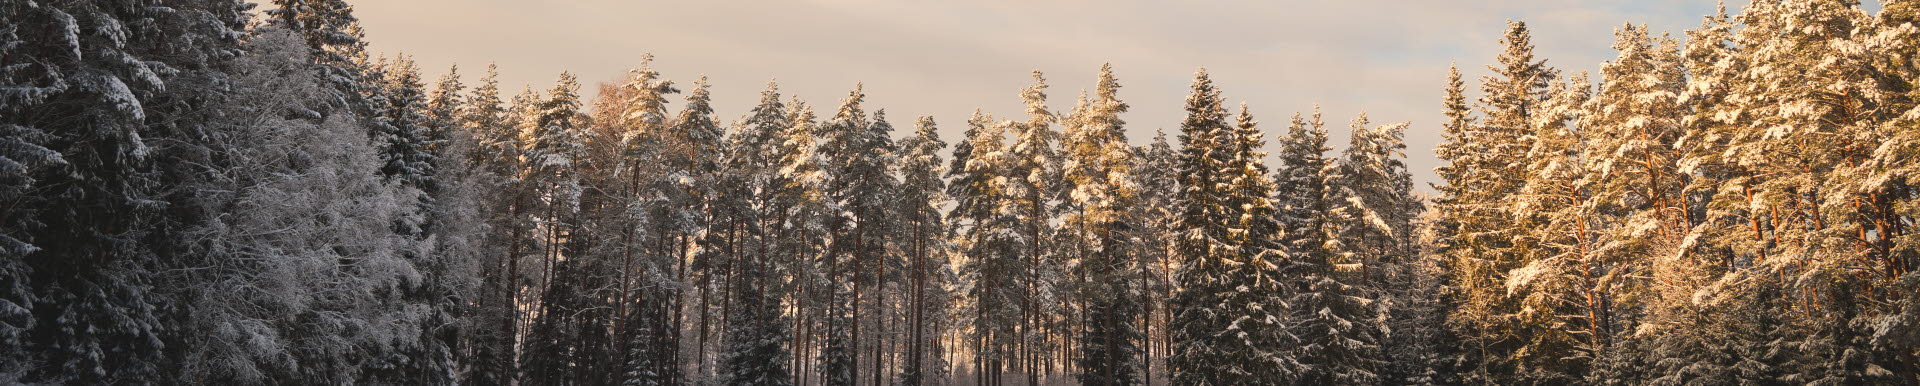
[[295, 276]]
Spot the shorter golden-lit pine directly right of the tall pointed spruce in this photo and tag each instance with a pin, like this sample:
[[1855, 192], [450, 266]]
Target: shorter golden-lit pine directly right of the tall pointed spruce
[[1562, 287]]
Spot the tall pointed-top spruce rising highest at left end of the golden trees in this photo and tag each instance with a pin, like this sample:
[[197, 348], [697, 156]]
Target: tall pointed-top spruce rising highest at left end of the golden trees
[[1483, 166]]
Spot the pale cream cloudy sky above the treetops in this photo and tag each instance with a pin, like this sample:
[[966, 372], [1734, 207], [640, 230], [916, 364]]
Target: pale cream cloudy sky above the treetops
[[1387, 59]]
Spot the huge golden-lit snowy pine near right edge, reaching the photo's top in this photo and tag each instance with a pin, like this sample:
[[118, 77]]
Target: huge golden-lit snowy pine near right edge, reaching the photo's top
[[1800, 147]]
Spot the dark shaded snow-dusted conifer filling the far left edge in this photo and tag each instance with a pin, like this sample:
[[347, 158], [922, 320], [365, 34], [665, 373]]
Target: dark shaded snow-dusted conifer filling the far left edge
[[89, 93]]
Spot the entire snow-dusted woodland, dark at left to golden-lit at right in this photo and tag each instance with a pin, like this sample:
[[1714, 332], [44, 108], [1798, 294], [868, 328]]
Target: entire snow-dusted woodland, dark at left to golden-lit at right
[[203, 193]]
